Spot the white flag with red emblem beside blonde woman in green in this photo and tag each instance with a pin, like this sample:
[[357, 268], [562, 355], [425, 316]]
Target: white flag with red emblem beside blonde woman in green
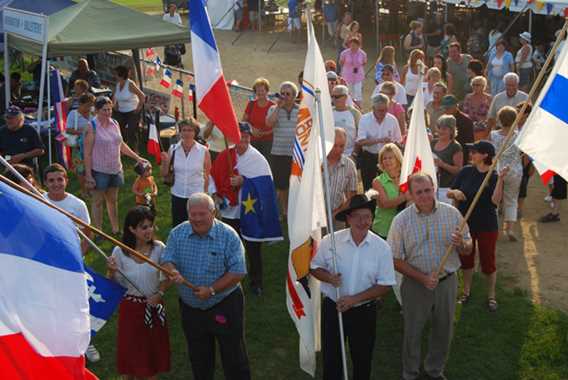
[[417, 152]]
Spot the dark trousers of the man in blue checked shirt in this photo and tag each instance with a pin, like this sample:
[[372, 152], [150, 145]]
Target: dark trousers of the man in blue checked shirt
[[223, 323]]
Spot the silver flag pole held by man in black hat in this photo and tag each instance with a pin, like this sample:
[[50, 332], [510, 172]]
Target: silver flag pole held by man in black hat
[[330, 228]]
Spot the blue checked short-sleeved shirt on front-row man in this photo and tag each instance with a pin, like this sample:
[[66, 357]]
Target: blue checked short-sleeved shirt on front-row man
[[203, 260]]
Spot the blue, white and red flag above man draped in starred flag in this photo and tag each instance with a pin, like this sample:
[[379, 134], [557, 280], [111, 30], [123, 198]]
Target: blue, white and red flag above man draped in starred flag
[[212, 92]]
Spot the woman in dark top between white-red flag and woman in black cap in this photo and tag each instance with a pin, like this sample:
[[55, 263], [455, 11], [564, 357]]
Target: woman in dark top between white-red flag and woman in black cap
[[448, 155]]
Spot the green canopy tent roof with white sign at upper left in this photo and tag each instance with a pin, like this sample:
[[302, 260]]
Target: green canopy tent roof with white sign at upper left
[[95, 26]]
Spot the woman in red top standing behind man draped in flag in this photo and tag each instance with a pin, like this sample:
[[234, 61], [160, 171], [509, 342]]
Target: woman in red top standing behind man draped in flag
[[255, 113]]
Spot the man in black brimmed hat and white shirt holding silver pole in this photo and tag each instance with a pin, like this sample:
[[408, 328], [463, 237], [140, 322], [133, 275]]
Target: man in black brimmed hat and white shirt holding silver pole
[[364, 273]]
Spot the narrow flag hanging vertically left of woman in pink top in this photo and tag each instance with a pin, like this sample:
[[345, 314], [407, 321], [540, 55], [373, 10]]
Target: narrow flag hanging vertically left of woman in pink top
[[60, 106]]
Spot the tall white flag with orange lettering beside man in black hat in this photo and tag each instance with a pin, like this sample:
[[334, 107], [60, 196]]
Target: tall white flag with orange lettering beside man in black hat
[[306, 207]]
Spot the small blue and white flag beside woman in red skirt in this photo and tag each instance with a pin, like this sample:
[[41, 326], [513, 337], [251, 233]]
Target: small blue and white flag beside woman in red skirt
[[104, 297]]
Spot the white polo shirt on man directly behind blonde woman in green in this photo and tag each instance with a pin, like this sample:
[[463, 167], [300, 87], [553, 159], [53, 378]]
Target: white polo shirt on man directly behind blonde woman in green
[[370, 128]]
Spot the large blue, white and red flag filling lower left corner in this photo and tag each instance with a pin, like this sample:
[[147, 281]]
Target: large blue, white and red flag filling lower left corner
[[44, 302]]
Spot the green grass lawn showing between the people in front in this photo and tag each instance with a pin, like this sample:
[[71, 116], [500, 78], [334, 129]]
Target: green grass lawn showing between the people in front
[[520, 341]]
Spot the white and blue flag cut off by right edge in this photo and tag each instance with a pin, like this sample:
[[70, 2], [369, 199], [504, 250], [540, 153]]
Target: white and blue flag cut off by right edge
[[544, 135]]
